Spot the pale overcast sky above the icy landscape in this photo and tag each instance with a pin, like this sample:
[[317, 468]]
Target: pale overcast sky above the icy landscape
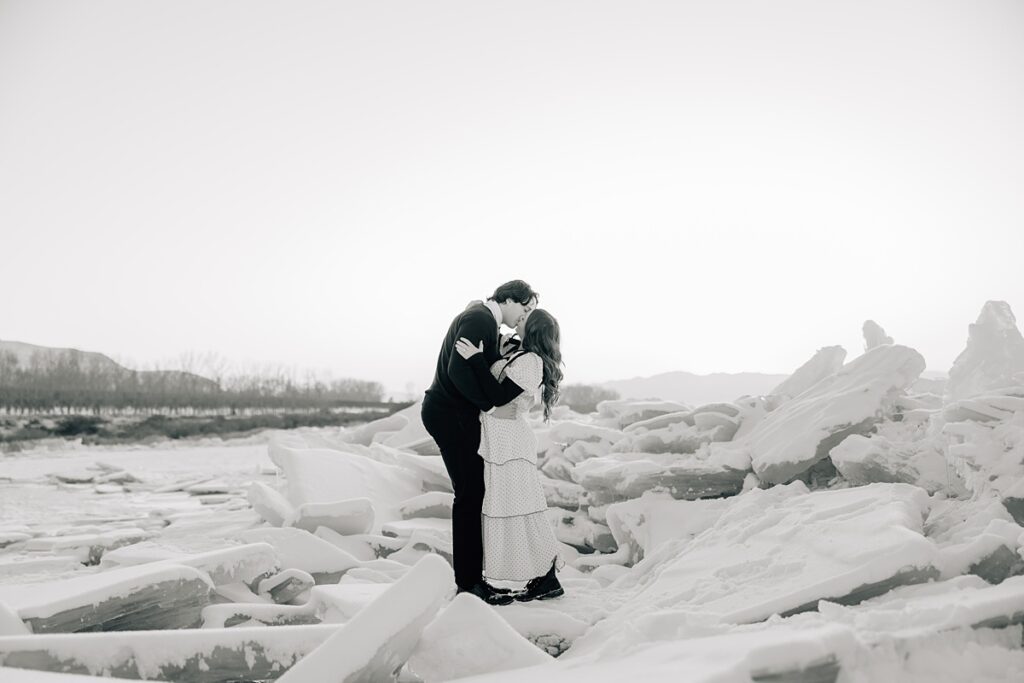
[[711, 187]]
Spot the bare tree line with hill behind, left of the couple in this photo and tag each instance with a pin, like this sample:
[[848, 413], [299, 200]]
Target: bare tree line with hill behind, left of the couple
[[69, 381]]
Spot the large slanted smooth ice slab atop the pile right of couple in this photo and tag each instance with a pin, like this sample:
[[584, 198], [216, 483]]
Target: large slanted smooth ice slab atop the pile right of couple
[[802, 432]]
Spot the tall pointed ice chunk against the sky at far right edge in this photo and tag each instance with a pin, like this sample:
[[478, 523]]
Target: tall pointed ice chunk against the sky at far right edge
[[995, 354]]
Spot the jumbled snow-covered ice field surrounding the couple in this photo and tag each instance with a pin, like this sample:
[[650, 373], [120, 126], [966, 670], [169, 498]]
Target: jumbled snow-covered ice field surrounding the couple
[[854, 526]]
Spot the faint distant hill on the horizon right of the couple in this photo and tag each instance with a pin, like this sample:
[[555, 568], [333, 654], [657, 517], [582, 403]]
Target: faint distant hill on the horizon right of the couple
[[697, 390]]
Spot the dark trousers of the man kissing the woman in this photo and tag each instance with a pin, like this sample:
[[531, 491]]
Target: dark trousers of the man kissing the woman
[[458, 436]]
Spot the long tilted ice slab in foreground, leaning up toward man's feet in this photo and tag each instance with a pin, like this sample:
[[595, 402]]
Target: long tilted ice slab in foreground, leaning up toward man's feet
[[380, 638]]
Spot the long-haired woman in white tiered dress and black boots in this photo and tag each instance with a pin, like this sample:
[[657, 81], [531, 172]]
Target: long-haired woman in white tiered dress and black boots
[[519, 542]]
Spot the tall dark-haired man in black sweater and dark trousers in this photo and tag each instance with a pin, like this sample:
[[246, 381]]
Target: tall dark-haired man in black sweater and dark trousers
[[452, 415]]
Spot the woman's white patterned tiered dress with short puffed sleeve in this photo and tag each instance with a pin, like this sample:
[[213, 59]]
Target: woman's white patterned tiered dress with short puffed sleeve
[[519, 541]]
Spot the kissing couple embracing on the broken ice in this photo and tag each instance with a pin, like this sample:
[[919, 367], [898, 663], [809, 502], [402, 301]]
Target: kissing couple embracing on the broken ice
[[476, 410]]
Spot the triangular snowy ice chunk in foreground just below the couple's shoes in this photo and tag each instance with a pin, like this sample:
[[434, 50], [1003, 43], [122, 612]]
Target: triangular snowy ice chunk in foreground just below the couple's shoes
[[470, 638]]
